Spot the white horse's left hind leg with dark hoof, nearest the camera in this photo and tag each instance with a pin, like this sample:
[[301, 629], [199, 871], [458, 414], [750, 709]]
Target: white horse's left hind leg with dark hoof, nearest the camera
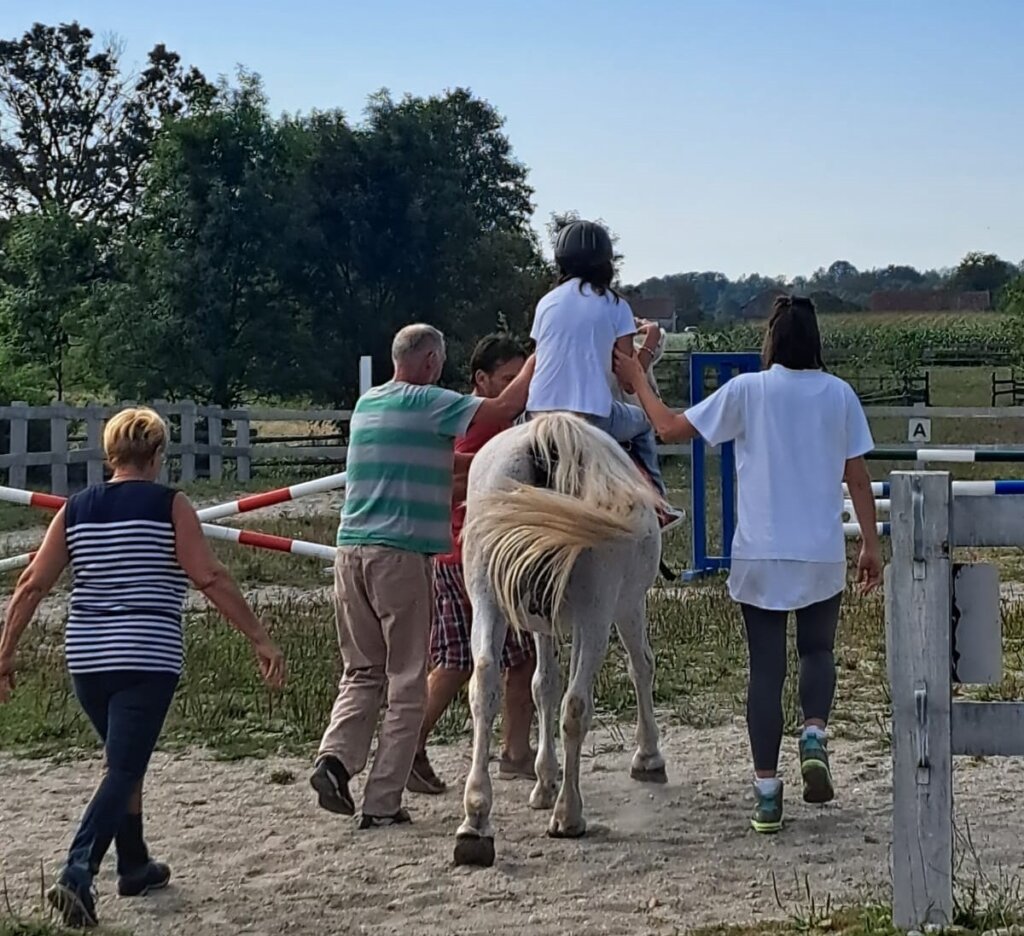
[[476, 838]]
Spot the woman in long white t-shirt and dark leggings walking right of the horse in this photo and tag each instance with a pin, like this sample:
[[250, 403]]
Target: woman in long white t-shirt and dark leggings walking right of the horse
[[799, 433]]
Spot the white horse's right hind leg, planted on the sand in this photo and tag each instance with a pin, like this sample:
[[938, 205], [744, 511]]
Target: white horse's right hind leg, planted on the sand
[[590, 643]]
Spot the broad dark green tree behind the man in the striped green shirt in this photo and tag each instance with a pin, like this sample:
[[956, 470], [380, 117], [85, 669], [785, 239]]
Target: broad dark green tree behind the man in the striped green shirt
[[421, 214]]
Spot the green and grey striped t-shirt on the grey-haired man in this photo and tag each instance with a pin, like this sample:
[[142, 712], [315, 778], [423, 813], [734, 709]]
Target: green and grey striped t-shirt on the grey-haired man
[[399, 490]]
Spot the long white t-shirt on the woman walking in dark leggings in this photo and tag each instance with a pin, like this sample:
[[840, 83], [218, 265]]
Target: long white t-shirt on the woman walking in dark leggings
[[794, 432]]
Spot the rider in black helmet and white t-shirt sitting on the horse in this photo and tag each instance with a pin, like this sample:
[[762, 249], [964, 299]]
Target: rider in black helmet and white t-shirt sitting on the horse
[[577, 327]]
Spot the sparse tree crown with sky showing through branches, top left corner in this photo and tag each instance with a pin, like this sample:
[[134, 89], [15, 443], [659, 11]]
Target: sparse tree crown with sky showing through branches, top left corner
[[75, 131]]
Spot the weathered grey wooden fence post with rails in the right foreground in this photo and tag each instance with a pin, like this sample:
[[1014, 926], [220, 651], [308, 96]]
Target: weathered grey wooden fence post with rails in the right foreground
[[943, 627]]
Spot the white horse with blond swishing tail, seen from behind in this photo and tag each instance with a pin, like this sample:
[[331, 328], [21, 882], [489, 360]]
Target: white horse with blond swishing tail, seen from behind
[[562, 539]]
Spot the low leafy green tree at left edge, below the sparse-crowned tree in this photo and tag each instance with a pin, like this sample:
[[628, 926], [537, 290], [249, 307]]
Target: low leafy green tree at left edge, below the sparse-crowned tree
[[52, 278]]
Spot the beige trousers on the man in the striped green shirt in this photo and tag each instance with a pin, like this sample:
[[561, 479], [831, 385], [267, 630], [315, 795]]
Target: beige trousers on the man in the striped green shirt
[[383, 606]]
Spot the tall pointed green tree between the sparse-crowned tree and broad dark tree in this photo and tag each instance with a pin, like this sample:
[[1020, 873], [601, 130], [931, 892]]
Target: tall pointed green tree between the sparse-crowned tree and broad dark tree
[[202, 313]]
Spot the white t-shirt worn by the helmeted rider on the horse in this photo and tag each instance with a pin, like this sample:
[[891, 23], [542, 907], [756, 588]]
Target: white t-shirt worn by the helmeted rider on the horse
[[576, 333]]
